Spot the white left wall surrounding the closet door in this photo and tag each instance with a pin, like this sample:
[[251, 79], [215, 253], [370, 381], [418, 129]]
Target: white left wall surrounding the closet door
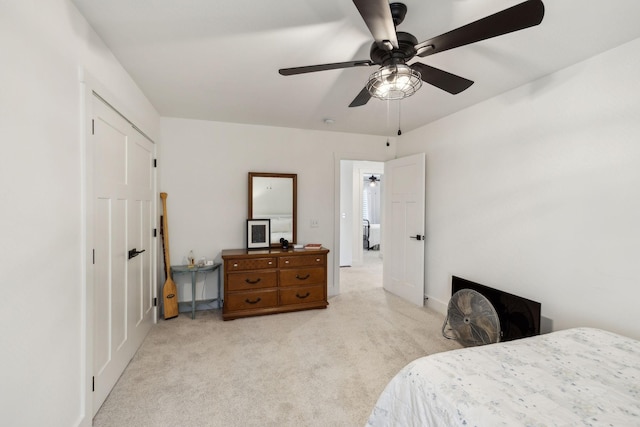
[[43, 44]]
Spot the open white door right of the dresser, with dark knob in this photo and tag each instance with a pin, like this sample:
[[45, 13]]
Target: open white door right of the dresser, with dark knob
[[404, 225]]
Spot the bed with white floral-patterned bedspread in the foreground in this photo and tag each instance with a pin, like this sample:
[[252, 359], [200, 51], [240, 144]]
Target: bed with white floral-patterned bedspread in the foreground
[[575, 377]]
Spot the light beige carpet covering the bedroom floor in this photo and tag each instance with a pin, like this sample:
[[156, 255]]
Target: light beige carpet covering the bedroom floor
[[308, 368]]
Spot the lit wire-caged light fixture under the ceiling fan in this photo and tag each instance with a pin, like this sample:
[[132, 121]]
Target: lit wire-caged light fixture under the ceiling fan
[[396, 81]]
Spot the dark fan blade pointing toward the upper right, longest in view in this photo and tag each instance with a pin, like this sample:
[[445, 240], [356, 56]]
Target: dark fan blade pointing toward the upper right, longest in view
[[518, 17]]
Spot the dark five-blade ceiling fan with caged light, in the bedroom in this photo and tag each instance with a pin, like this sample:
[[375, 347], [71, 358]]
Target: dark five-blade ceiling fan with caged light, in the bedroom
[[392, 49]]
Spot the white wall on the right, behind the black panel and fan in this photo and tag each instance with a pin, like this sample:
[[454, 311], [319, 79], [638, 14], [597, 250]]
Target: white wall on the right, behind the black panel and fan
[[537, 192]]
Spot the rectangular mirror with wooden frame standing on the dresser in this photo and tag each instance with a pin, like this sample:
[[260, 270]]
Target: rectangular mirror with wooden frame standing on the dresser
[[274, 196]]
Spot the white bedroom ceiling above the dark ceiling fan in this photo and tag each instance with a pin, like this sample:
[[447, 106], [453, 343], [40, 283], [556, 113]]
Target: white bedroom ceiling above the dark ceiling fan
[[218, 60]]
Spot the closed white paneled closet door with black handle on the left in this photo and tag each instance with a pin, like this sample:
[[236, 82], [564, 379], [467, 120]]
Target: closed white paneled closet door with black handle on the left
[[123, 220]]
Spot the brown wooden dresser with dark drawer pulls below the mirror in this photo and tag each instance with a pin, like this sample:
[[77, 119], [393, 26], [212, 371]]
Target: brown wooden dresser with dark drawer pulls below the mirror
[[272, 281]]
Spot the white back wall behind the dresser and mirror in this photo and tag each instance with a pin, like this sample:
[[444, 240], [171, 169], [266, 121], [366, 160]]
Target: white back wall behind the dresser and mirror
[[204, 170]]
